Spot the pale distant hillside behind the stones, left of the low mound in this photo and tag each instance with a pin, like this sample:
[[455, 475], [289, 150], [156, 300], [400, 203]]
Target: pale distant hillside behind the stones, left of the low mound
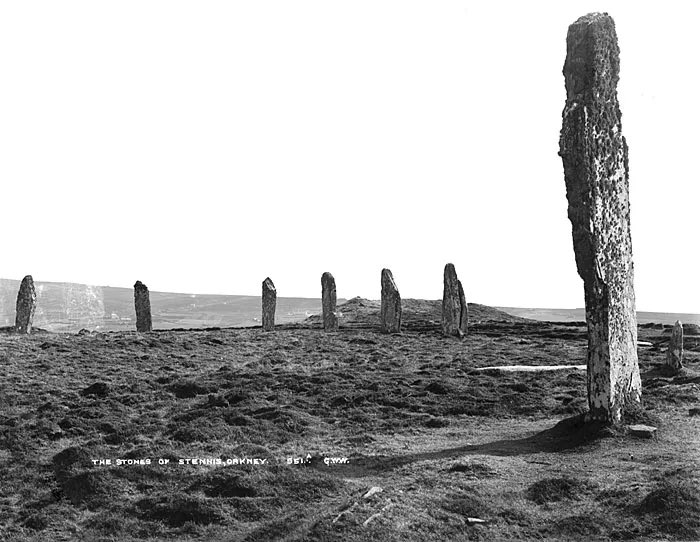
[[69, 307]]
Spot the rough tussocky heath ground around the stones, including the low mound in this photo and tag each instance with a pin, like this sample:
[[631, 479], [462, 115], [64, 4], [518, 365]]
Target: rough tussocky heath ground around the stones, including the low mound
[[348, 436]]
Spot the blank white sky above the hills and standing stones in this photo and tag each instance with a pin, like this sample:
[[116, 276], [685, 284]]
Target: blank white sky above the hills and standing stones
[[202, 146]]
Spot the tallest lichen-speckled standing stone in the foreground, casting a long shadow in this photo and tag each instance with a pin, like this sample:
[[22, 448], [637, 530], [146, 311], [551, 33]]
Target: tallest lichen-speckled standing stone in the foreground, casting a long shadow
[[594, 154]]
